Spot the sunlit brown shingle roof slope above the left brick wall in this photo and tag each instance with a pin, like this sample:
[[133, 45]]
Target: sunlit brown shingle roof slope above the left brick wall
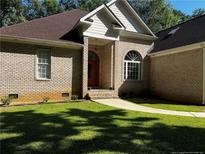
[[53, 27]]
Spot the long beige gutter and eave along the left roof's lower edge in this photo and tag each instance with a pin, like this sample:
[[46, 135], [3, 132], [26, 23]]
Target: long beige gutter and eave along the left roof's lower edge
[[43, 42]]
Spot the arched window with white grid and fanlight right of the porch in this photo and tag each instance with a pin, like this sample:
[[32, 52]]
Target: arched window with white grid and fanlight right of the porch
[[132, 66]]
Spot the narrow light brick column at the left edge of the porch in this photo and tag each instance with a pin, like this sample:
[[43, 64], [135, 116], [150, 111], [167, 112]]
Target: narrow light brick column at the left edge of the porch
[[85, 68]]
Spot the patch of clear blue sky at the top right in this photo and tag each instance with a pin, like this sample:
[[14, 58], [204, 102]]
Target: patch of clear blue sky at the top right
[[188, 6]]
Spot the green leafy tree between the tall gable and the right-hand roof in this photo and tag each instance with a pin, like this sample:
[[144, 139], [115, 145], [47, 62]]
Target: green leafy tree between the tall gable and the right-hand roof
[[157, 14]]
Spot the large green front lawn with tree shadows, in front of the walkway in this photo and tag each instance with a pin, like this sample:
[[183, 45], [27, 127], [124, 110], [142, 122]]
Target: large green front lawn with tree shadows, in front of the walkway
[[88, 127]]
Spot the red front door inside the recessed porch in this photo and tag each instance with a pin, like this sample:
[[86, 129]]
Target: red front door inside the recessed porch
[[93, 73]]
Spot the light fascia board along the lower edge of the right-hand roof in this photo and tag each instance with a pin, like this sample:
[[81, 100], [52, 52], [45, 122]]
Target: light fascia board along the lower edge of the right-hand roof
[[178, 49]]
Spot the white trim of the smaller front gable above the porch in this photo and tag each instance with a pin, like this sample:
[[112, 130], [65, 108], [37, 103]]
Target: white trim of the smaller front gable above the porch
[[97, 10]]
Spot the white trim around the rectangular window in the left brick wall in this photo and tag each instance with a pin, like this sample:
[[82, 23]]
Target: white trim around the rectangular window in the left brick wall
[[36, 65]]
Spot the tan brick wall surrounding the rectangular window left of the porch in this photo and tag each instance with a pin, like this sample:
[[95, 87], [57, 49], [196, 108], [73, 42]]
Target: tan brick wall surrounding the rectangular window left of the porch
[[17, 73]]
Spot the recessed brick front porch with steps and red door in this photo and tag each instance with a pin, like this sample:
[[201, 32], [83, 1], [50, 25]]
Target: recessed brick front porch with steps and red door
[[100, 68]]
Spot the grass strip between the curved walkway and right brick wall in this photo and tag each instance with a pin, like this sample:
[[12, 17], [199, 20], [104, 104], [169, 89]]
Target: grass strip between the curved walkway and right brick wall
[[167, 105]]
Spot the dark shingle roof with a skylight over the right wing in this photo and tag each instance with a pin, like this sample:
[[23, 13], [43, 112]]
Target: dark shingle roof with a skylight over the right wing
[[189, 32]]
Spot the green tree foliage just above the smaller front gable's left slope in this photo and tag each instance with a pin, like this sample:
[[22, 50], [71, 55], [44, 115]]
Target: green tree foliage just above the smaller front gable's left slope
[[90, 5]]
